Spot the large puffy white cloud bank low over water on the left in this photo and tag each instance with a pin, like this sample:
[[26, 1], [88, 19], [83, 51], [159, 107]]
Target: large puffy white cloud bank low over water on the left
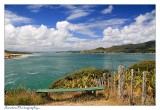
[[31, 38]]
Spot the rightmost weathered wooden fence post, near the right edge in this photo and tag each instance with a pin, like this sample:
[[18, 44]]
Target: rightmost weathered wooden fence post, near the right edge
[[144, 89]]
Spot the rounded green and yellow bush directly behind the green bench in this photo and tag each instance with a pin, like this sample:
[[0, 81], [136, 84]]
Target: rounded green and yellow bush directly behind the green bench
[[81, 79]]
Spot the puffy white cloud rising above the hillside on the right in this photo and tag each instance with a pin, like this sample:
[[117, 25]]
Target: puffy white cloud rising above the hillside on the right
[[143, 29]]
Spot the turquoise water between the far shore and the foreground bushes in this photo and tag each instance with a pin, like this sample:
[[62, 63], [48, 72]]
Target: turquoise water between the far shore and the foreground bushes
[[40, 70]]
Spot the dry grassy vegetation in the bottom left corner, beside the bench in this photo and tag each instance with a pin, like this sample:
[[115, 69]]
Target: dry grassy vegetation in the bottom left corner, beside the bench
[[22, 96]]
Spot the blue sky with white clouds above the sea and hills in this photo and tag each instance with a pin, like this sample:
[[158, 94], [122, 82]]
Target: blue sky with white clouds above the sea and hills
[[50, 28]]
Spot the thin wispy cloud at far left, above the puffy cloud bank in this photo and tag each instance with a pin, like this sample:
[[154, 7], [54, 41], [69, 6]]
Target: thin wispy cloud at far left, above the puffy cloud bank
[[11, 18]]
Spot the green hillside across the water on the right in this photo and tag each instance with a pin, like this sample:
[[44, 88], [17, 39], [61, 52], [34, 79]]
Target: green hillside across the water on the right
[[146, 47]]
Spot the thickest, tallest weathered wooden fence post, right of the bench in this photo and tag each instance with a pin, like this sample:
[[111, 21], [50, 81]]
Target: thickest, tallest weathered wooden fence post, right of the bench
[[120, 85]]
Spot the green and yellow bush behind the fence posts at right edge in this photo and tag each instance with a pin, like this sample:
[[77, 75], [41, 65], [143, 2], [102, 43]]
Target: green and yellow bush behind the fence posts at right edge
[[149, 67]]
